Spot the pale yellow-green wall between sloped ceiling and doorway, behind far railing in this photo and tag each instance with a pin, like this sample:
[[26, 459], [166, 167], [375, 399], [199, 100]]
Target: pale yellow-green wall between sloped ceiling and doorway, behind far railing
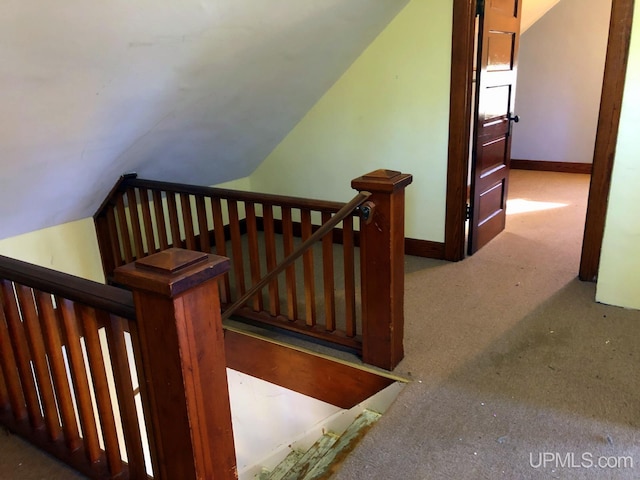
[[389, 110]]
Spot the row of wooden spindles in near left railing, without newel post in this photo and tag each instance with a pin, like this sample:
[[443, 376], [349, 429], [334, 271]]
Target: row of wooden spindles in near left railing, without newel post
[[56, 358]]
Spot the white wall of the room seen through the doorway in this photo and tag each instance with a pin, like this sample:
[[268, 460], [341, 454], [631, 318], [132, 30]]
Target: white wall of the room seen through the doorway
[[560, 73]]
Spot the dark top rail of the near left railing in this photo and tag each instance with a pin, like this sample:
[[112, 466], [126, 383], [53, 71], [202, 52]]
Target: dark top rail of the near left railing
[[112, 299]]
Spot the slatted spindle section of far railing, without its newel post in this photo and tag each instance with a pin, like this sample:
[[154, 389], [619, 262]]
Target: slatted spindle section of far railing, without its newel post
[[136, 226]]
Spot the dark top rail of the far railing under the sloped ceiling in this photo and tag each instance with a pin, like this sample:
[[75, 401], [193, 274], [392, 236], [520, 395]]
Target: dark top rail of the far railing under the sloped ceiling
[[130, 180]]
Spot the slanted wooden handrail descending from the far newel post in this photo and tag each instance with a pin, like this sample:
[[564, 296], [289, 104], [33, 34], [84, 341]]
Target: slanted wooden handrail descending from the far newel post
[[344, 212]]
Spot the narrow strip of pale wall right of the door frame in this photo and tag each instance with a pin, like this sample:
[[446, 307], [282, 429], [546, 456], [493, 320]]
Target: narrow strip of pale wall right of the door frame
[[619, 275]]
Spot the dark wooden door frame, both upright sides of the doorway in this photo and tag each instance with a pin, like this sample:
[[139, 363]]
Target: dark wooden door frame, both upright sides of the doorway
[[464, 13]]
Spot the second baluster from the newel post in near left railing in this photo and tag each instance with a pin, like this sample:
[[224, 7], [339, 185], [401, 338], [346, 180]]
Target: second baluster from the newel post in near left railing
[[101, 389]]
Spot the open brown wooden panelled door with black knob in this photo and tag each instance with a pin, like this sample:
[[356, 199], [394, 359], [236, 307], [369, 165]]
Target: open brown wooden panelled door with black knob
[[498, 41]]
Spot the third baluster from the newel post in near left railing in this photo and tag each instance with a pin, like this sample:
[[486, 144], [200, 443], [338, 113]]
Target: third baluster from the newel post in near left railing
[[75, 357]]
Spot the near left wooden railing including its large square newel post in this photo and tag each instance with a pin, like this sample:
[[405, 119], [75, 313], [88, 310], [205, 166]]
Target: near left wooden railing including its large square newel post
[[72, 351]]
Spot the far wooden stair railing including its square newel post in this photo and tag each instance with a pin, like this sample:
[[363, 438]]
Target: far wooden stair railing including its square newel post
[[331, 294]]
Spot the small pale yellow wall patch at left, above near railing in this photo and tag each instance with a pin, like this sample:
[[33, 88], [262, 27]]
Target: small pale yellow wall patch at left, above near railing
[[70, 248]]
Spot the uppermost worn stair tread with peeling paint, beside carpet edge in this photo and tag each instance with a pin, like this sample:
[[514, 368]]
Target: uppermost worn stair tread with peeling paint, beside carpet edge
[[343, 446]]
